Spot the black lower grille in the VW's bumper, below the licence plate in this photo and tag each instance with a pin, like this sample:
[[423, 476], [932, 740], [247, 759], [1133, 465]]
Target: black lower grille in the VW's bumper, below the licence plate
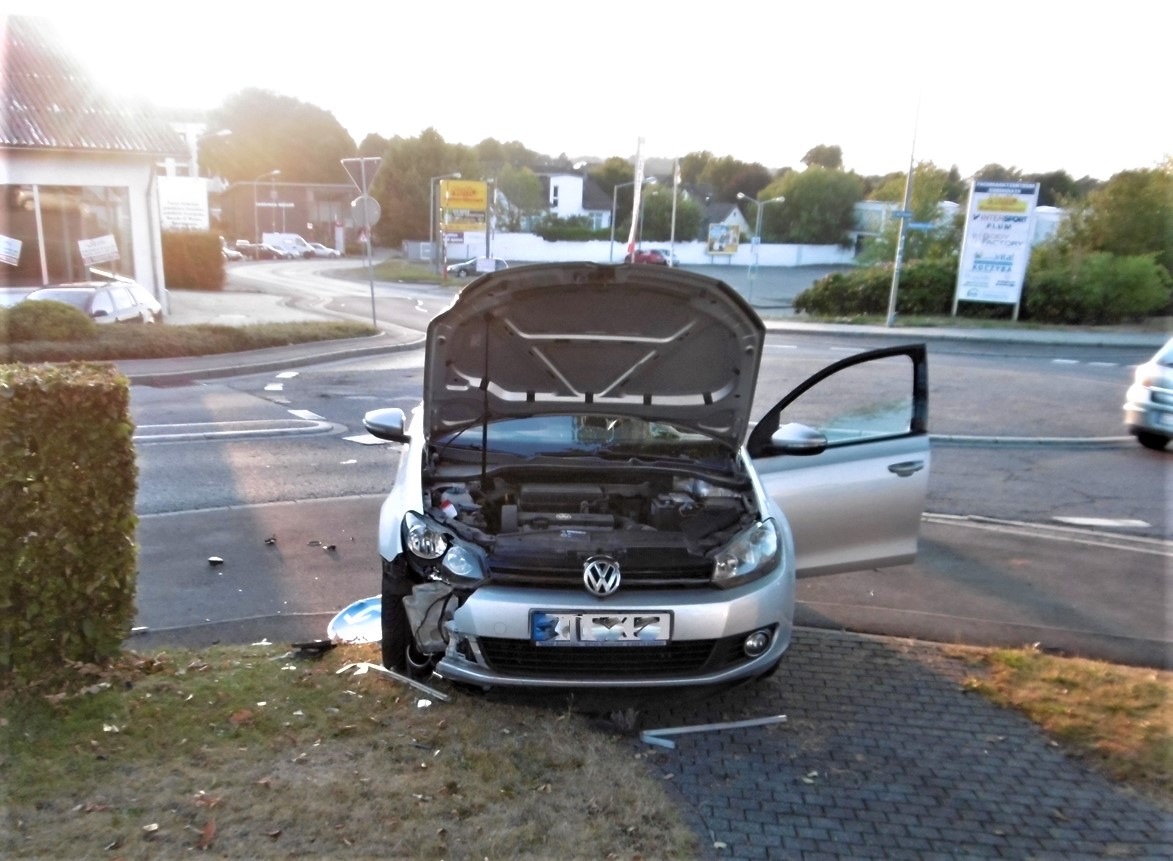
[[523, 660]]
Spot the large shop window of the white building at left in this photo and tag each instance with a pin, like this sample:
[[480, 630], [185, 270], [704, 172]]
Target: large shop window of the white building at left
[[63, 232]]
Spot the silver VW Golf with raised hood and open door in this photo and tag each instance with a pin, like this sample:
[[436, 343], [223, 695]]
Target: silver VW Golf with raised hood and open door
[[581, 501]]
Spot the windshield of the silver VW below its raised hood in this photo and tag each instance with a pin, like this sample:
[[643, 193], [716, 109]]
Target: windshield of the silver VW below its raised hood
[[572, 436]]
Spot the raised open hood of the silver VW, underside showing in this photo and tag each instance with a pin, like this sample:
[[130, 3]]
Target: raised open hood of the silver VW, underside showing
[[582, 338]]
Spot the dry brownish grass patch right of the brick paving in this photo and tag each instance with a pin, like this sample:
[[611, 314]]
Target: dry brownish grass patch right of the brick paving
[[1118, 718]]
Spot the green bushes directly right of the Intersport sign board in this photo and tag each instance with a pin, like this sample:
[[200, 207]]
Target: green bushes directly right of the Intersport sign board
[[1095, 289]]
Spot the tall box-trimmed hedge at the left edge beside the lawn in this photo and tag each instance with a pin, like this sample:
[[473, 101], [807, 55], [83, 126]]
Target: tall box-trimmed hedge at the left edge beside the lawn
[[67, 539]]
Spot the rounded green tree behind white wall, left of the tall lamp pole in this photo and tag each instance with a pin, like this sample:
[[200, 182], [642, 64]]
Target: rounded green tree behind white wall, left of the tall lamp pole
[[819, 207]]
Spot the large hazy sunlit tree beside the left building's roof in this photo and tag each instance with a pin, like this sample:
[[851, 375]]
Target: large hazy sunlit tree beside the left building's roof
[[272, 132]]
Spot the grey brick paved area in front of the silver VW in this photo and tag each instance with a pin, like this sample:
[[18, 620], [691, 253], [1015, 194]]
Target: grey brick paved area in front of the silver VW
[[884, 756]]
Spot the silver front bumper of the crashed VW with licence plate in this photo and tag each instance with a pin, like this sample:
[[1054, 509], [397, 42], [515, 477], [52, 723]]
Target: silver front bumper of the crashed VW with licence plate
[[553, 639]]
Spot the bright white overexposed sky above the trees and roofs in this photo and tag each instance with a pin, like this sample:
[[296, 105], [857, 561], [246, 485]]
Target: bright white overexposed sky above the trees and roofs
[[1036, 85]]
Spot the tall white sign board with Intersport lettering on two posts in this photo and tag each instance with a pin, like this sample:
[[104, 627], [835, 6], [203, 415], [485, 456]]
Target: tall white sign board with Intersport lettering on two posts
[[996, 247]]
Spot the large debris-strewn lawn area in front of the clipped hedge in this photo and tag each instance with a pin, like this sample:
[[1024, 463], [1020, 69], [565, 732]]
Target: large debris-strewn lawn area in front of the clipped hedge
[[252, 752]]
